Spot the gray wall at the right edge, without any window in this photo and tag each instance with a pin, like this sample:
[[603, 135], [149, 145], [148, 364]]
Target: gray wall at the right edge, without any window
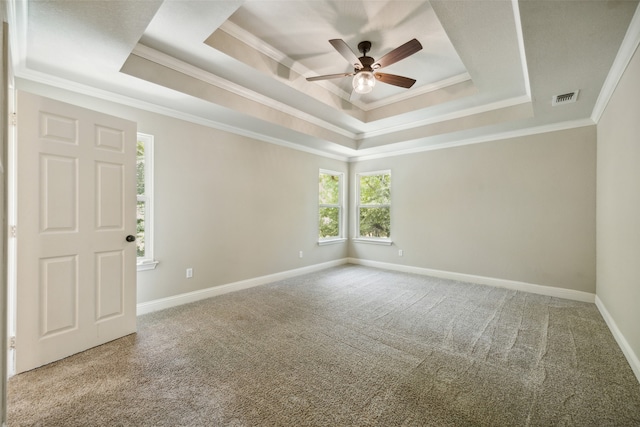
[[618, 209]]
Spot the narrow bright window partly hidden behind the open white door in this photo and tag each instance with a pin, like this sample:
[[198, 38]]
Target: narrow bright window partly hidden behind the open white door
[[144, 210]]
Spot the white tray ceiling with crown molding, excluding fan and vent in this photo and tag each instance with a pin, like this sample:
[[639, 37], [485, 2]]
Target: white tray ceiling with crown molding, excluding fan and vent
[[486, 67]]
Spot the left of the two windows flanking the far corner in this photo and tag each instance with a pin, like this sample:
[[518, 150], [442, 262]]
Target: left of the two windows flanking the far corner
[[330, 202]]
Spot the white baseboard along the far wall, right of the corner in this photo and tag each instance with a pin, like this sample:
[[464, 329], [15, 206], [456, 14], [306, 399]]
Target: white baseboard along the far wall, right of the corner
[[500, 283]]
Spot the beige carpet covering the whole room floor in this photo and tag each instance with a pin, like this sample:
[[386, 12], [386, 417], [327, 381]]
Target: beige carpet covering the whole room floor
[[348, 346]]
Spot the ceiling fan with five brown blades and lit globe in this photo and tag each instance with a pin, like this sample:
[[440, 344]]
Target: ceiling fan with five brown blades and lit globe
[[365, 72]]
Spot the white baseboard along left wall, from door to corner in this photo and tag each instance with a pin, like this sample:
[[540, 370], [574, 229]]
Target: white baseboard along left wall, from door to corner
[[162, 303]]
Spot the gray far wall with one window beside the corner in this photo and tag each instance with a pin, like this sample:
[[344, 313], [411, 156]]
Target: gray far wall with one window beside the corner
[[519, 209]]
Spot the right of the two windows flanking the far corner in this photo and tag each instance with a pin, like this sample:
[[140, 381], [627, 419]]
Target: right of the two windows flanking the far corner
[[374, 206]]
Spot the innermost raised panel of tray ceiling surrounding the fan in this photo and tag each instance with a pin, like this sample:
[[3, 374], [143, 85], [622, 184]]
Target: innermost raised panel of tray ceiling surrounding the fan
[[301, 32]]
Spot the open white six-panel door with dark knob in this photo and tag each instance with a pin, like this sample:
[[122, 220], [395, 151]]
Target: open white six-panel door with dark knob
[[76, 275]]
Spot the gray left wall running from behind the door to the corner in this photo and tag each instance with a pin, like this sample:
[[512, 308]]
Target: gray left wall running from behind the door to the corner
[[230, 207]]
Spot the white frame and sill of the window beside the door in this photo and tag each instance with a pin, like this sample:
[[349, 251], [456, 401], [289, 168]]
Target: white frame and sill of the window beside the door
[[147, 262]]
